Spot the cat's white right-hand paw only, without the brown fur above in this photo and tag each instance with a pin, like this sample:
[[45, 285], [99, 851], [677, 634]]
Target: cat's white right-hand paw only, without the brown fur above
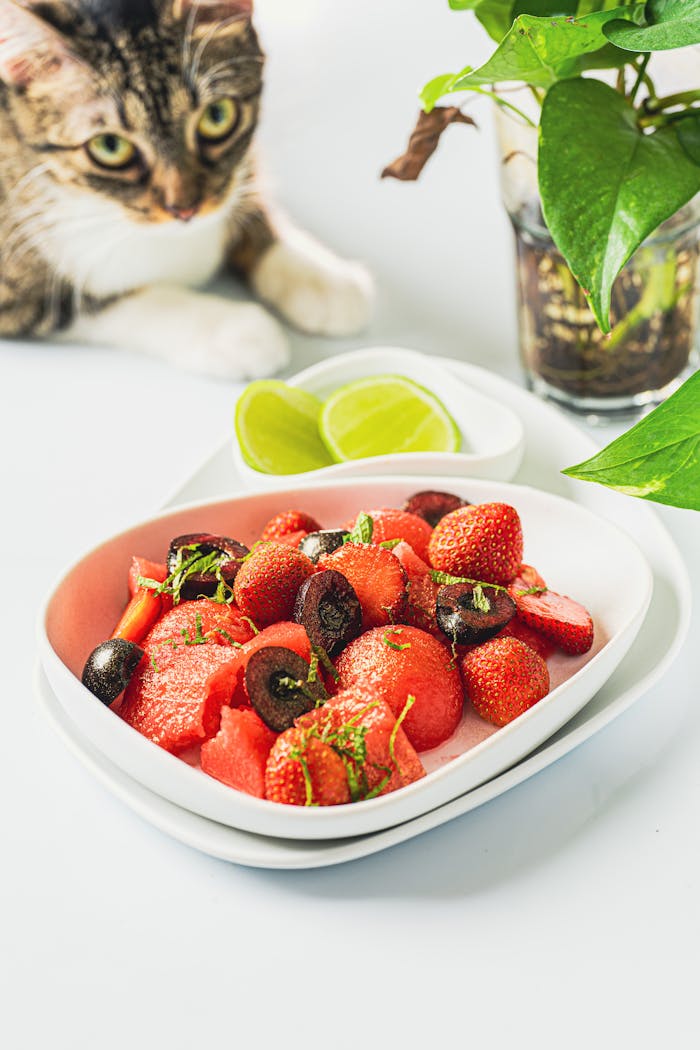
[[313, 289]]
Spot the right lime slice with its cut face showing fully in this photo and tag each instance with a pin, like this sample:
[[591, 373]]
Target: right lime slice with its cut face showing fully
[[384, 415]]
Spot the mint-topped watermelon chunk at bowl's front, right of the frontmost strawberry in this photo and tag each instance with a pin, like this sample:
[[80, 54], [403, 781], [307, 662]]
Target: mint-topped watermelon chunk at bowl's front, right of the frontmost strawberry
[[390, 761]]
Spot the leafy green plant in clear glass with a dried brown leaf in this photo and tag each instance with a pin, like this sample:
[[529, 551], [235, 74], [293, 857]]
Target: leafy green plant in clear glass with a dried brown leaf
[[602, 181]]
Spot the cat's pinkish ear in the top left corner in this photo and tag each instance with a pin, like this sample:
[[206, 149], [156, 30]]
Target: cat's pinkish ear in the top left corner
[[30, 49]]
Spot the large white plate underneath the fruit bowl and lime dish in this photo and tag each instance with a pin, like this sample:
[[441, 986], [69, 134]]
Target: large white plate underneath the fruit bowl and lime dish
[[553, 442]]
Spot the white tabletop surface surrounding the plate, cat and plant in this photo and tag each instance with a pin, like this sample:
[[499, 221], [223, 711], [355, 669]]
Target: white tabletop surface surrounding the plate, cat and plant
[[564, 914]]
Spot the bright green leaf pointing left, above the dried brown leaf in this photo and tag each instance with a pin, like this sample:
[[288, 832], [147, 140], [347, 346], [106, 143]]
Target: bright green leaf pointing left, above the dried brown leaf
[[542, 51]]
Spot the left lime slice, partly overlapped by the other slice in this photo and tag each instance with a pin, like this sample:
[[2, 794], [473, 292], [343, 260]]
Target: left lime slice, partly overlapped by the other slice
[[278, 429]]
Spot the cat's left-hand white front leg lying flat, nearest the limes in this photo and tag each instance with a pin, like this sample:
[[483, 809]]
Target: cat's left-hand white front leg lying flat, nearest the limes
[[193, 330]]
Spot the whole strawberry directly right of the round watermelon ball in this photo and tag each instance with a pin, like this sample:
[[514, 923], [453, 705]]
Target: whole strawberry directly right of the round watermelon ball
[[503, 679]]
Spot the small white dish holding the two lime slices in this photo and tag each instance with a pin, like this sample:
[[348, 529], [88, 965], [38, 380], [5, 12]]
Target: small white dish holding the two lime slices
[[492, 433]]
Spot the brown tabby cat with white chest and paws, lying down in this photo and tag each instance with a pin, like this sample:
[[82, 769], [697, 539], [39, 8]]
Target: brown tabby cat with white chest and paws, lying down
[[129, 180]]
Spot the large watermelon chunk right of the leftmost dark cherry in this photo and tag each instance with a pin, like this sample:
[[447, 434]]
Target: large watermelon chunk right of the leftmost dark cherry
[[176, 697]]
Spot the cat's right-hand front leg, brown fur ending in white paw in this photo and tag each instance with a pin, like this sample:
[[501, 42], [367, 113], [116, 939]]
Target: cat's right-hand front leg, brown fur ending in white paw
[[311, 287]]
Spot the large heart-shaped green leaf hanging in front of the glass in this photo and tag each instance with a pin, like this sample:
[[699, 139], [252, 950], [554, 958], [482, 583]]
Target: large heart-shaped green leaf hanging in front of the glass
[[605, 185]]
